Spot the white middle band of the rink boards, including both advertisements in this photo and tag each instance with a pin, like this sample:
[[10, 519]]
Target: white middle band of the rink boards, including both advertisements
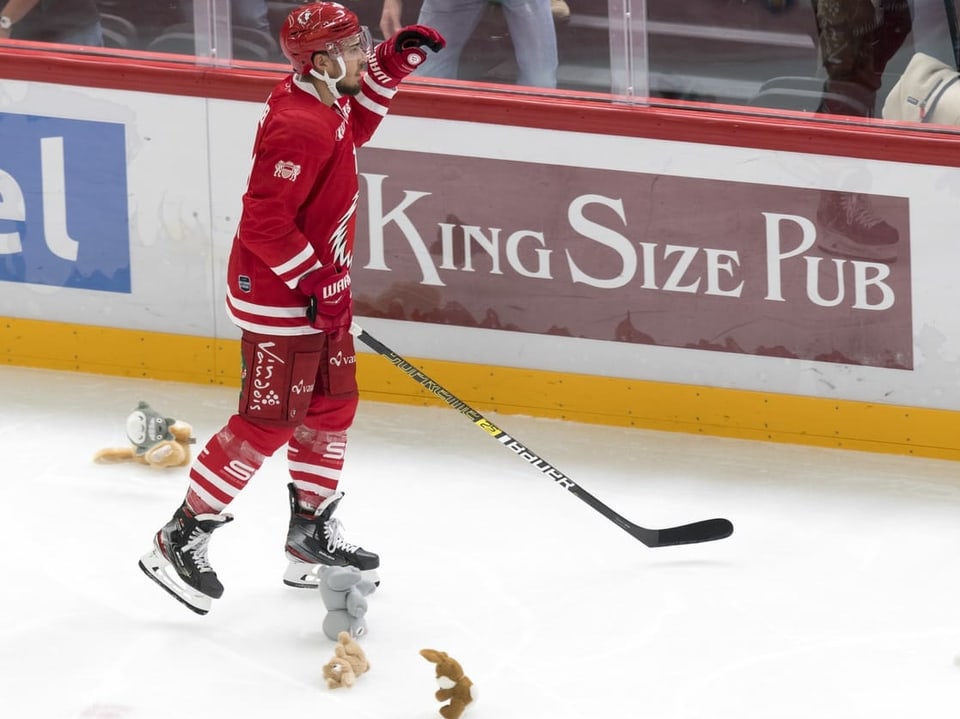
[[674, 262]]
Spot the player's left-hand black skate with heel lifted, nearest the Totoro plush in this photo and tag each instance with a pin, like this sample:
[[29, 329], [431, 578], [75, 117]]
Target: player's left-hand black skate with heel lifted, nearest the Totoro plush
[[178, 561]]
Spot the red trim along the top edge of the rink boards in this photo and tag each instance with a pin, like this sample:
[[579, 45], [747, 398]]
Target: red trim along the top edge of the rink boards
[[502, 105]]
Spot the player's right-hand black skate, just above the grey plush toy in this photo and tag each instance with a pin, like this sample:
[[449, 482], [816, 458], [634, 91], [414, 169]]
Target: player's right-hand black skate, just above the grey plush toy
[[315, 540]]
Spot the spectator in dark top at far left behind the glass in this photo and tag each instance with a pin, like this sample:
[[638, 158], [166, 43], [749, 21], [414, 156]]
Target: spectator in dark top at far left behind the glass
[[72, 22]]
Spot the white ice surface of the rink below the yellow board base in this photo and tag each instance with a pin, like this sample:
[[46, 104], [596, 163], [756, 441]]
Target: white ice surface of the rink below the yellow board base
[[837, 595]]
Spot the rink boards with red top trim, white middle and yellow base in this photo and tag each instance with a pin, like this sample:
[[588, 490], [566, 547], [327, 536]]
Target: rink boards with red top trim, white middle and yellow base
[[625, 266]]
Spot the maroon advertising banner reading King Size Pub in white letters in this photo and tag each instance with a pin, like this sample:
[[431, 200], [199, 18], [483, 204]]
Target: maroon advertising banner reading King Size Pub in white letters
[[735, 267]]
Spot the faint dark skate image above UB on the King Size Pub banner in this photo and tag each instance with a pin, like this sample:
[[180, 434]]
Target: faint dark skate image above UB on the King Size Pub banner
[[849, 228]]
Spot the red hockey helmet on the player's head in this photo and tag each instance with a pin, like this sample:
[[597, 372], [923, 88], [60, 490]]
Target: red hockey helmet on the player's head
[[318, 27]]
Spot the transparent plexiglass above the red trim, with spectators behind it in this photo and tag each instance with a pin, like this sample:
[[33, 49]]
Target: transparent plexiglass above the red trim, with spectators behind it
[[856, 59]]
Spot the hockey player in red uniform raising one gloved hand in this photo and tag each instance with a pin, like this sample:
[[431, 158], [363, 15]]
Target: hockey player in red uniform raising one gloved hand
[[288, 290]]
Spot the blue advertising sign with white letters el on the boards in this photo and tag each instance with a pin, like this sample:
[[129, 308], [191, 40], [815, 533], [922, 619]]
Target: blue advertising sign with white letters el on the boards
[[63, 203]]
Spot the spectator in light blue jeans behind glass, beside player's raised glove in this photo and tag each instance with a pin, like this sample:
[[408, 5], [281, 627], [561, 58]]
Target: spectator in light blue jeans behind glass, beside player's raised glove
[[530, 22]]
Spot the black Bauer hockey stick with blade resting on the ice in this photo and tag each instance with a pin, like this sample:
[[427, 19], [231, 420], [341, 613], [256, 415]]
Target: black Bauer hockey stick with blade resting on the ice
[[703, 531]]
